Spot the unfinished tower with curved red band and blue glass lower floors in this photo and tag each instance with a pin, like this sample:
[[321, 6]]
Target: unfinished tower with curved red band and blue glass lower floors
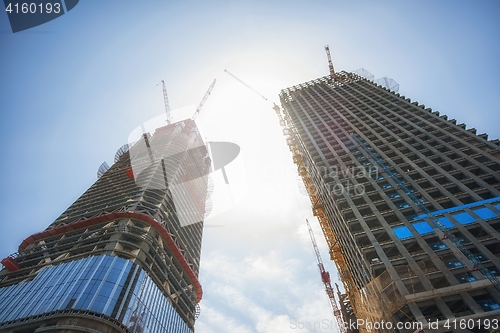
[[125, 256]]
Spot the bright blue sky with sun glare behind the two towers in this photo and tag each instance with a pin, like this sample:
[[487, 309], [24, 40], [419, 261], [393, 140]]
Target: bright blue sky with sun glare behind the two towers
[[73, 89]]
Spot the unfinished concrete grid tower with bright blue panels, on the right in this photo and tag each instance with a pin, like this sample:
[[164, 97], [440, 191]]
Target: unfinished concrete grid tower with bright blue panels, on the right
[[408, 200]]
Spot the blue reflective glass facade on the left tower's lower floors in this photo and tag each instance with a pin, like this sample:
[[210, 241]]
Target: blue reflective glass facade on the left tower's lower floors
[[112, 286]]
